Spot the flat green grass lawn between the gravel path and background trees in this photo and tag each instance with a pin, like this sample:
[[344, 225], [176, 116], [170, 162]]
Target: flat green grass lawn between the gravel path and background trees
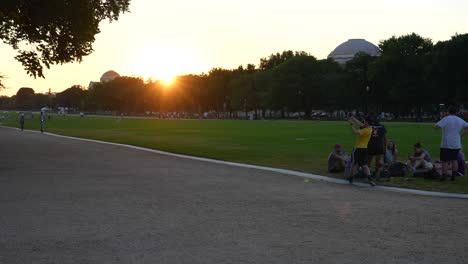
[[296, 145]]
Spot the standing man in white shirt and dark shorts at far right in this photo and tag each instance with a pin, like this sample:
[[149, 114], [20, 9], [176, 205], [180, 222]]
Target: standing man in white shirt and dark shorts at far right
[[452, 127]]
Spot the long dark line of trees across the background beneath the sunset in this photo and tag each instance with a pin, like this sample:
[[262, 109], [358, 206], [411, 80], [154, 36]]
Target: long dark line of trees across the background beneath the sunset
[[412, 75]]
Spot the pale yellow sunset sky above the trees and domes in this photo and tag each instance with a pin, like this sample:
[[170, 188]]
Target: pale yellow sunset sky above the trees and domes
[[161, 39]]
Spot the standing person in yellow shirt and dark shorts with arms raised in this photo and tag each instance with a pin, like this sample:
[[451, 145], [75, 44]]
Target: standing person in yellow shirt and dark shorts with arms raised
[[360, 154]]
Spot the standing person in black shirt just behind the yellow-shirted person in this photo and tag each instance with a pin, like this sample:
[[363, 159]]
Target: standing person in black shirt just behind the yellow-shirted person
[[377, 144]]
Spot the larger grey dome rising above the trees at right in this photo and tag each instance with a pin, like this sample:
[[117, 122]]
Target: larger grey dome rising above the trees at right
[[347, 50]]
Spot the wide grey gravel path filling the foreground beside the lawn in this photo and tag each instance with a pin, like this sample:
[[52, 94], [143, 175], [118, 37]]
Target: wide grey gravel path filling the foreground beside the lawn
[[66, 201]]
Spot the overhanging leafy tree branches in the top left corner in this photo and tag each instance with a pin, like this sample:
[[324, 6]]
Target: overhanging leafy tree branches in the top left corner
[[54, 31]]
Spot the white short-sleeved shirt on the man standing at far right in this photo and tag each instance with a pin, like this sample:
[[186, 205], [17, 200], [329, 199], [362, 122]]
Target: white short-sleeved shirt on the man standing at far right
[[451, 126]]
